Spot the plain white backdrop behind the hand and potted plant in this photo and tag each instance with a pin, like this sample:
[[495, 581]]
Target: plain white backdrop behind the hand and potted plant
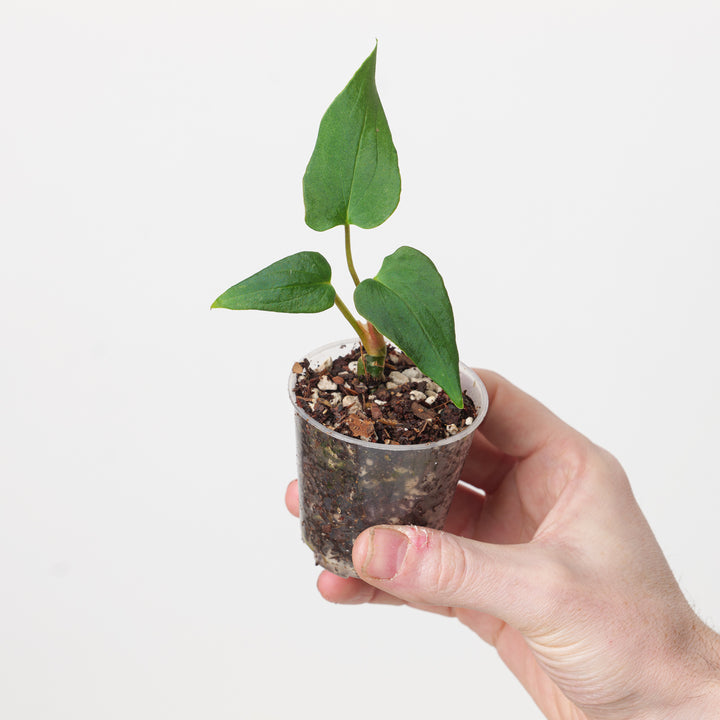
[[560, 164]]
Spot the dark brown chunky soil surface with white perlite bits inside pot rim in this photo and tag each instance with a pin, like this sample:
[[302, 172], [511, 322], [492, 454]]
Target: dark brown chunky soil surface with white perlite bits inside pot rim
[[406, 408]]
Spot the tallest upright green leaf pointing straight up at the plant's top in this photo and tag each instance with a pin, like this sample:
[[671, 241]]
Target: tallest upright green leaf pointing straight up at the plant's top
[[353, 176]]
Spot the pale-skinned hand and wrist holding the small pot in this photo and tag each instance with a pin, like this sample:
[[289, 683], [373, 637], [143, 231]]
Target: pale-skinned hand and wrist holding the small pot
[[547, 556]]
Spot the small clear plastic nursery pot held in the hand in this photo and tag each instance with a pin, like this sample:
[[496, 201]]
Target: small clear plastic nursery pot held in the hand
[[347, 485]]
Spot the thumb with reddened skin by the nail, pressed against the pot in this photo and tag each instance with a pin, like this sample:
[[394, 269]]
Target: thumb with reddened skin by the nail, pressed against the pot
[[430, 567]]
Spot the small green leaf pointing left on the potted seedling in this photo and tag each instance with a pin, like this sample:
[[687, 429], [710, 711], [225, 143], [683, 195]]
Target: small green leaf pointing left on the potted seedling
[[299, 283]]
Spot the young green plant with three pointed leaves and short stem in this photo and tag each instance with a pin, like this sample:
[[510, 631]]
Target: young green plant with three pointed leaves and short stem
[[352, 178]]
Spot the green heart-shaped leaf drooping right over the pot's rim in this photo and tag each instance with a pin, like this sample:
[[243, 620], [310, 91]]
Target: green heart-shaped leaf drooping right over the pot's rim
[[407, 302]]
